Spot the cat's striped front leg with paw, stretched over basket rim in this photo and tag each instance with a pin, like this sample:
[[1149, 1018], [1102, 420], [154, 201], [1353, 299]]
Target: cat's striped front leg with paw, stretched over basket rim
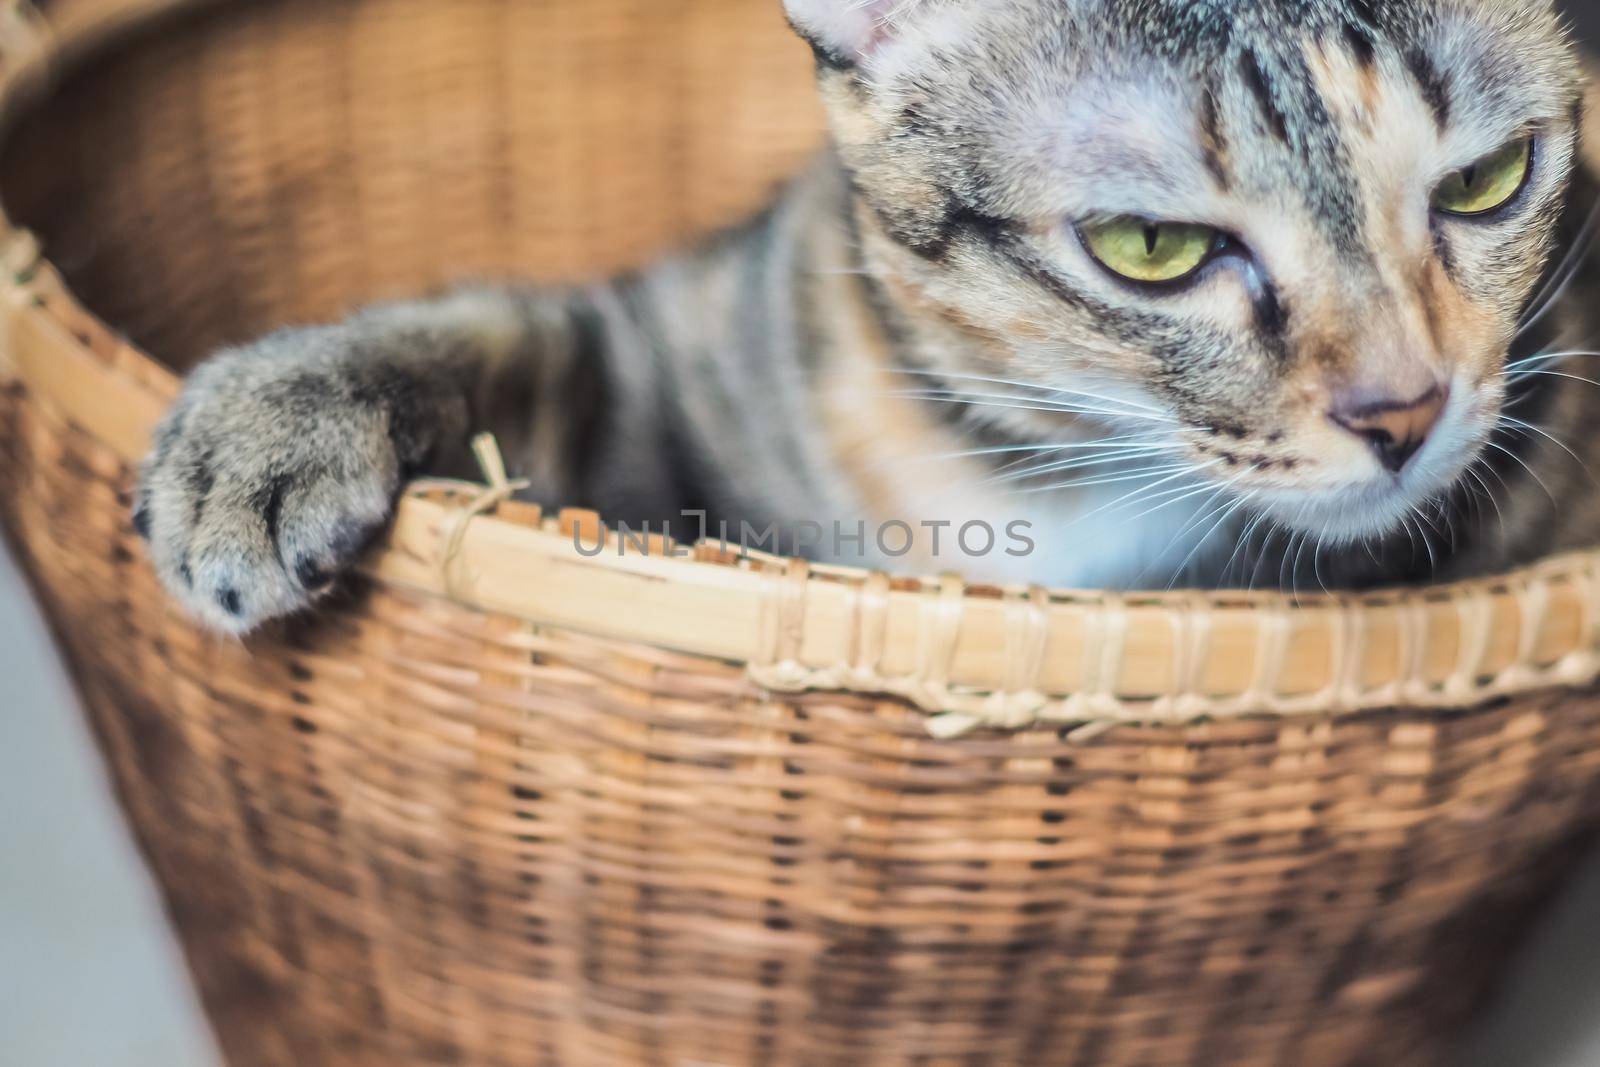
[[284, 460]]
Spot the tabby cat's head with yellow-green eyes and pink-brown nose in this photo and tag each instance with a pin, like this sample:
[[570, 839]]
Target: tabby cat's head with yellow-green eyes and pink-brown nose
[[1290, 239]]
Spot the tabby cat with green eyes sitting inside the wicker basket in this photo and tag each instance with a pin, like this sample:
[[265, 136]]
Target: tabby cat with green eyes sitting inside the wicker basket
[[1289, 294]]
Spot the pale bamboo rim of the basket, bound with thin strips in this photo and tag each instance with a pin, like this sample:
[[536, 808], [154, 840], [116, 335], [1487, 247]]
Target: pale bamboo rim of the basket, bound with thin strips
[[970, 655]]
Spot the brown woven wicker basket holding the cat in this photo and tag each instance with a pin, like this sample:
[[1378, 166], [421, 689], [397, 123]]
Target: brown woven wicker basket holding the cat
[[546, 810]]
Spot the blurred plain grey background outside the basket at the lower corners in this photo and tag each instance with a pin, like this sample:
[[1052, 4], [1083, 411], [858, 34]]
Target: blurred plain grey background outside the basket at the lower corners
[[90, 978]]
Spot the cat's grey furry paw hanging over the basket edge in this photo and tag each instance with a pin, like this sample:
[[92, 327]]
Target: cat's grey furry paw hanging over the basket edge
[[270, 478]]
